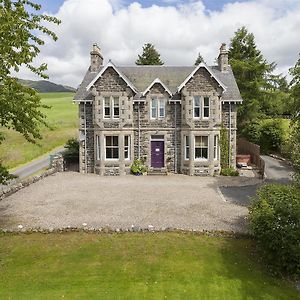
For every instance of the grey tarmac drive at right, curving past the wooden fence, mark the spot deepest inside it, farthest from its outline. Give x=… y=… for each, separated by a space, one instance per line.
x=276 y=171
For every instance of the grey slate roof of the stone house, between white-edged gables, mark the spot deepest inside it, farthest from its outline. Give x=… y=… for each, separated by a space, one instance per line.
x=172 y=76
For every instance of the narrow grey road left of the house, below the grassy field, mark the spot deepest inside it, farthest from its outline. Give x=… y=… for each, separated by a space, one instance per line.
x=35 y=165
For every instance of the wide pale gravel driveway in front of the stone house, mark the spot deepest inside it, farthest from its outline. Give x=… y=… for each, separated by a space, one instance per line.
x=71 y=199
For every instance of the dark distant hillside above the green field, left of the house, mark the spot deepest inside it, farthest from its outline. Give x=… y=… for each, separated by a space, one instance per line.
x=45 y=86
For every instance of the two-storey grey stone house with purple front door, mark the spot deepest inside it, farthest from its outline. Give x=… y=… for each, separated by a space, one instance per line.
x=168 y=116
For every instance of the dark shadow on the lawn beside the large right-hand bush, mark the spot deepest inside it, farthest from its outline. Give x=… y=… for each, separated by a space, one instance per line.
x=243 y=267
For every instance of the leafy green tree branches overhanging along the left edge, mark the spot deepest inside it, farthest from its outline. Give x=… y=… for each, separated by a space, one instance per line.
x=21 y=28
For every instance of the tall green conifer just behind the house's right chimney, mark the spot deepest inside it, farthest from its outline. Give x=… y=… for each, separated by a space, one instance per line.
x=251 y=71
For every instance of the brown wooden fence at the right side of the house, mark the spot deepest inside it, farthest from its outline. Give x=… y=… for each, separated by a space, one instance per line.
x=245 y=147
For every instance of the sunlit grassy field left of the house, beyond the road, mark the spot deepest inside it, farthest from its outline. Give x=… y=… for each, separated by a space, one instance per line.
x=62 y=116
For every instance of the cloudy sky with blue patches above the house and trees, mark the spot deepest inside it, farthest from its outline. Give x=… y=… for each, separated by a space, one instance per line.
x=179 y=29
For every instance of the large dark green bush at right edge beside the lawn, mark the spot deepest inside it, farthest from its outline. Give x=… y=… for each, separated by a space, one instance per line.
x=275 y=224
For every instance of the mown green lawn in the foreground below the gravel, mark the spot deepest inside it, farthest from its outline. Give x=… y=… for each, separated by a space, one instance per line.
x=134 y=266
